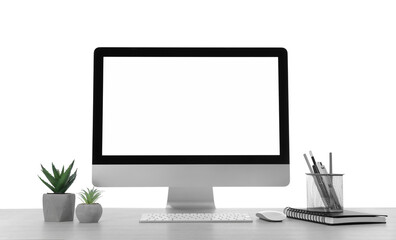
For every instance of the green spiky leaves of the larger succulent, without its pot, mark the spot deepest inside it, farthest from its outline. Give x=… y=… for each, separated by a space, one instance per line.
x=59 y=182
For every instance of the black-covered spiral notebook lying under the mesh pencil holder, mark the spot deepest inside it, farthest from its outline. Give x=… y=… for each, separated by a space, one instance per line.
x=346 y=217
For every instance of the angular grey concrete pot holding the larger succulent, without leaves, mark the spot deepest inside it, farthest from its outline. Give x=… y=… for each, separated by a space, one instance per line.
x=58 y=207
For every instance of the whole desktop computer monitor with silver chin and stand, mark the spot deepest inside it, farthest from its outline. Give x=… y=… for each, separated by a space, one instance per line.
x=190 y=119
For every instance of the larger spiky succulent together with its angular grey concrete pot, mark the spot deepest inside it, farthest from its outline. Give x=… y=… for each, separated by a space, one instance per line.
x=59 y=206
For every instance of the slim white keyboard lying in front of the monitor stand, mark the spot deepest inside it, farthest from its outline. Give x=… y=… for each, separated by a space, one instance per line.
x=195 y=218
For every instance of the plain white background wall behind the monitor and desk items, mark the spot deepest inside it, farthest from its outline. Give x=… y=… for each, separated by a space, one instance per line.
x=341 y=78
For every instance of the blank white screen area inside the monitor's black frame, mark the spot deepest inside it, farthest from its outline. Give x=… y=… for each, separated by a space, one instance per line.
x=190 y=106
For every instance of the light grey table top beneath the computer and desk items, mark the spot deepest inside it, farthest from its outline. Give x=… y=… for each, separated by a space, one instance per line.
x=124 y=223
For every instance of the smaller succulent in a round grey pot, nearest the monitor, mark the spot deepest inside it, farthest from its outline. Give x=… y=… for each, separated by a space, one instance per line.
x=89 y=211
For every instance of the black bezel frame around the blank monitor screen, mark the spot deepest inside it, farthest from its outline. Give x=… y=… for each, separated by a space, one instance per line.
x=102 y=52
